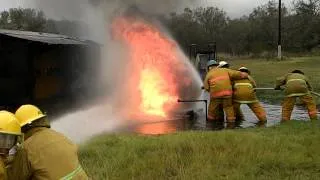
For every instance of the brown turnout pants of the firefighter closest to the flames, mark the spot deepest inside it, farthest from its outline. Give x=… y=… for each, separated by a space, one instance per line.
x=216 y=113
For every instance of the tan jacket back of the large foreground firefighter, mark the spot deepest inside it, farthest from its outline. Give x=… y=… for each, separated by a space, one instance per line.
x=52 y=156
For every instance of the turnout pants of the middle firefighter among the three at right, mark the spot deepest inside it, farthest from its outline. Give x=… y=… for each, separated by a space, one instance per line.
x=256 y=108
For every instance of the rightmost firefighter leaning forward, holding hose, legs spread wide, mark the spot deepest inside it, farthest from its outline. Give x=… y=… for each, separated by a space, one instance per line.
x=296 y=86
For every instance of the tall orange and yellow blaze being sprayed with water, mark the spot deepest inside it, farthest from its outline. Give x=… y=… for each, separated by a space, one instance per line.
x=156 y=72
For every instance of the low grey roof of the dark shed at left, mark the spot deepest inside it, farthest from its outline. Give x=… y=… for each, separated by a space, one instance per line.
x=43 y=37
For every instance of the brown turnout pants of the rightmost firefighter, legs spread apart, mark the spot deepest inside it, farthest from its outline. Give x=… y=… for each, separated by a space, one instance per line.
x=289 y=102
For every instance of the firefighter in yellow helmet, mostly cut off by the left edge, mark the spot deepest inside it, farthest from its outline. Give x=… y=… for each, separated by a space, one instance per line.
x=10 y=133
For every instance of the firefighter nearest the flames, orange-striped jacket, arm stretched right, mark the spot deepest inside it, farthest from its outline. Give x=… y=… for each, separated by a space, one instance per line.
x=218 y=83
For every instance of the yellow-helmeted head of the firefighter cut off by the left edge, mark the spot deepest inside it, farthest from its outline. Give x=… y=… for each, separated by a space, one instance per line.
x=10 y=130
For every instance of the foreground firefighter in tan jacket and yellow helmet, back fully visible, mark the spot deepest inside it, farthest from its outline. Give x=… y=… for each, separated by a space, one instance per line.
x=46 y=154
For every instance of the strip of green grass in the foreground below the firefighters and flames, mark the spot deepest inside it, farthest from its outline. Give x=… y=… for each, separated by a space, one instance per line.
x=289 y=151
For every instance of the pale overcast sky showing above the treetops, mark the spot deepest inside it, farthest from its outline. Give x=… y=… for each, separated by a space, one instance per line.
x=234 y=8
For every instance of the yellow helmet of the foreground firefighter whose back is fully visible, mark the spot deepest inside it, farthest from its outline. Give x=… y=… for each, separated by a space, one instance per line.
x=26 y=114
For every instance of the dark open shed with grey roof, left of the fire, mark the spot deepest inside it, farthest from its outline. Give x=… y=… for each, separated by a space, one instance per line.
x=41 y=68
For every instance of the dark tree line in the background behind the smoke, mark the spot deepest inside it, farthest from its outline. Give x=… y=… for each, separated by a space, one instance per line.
x=256 y=33
